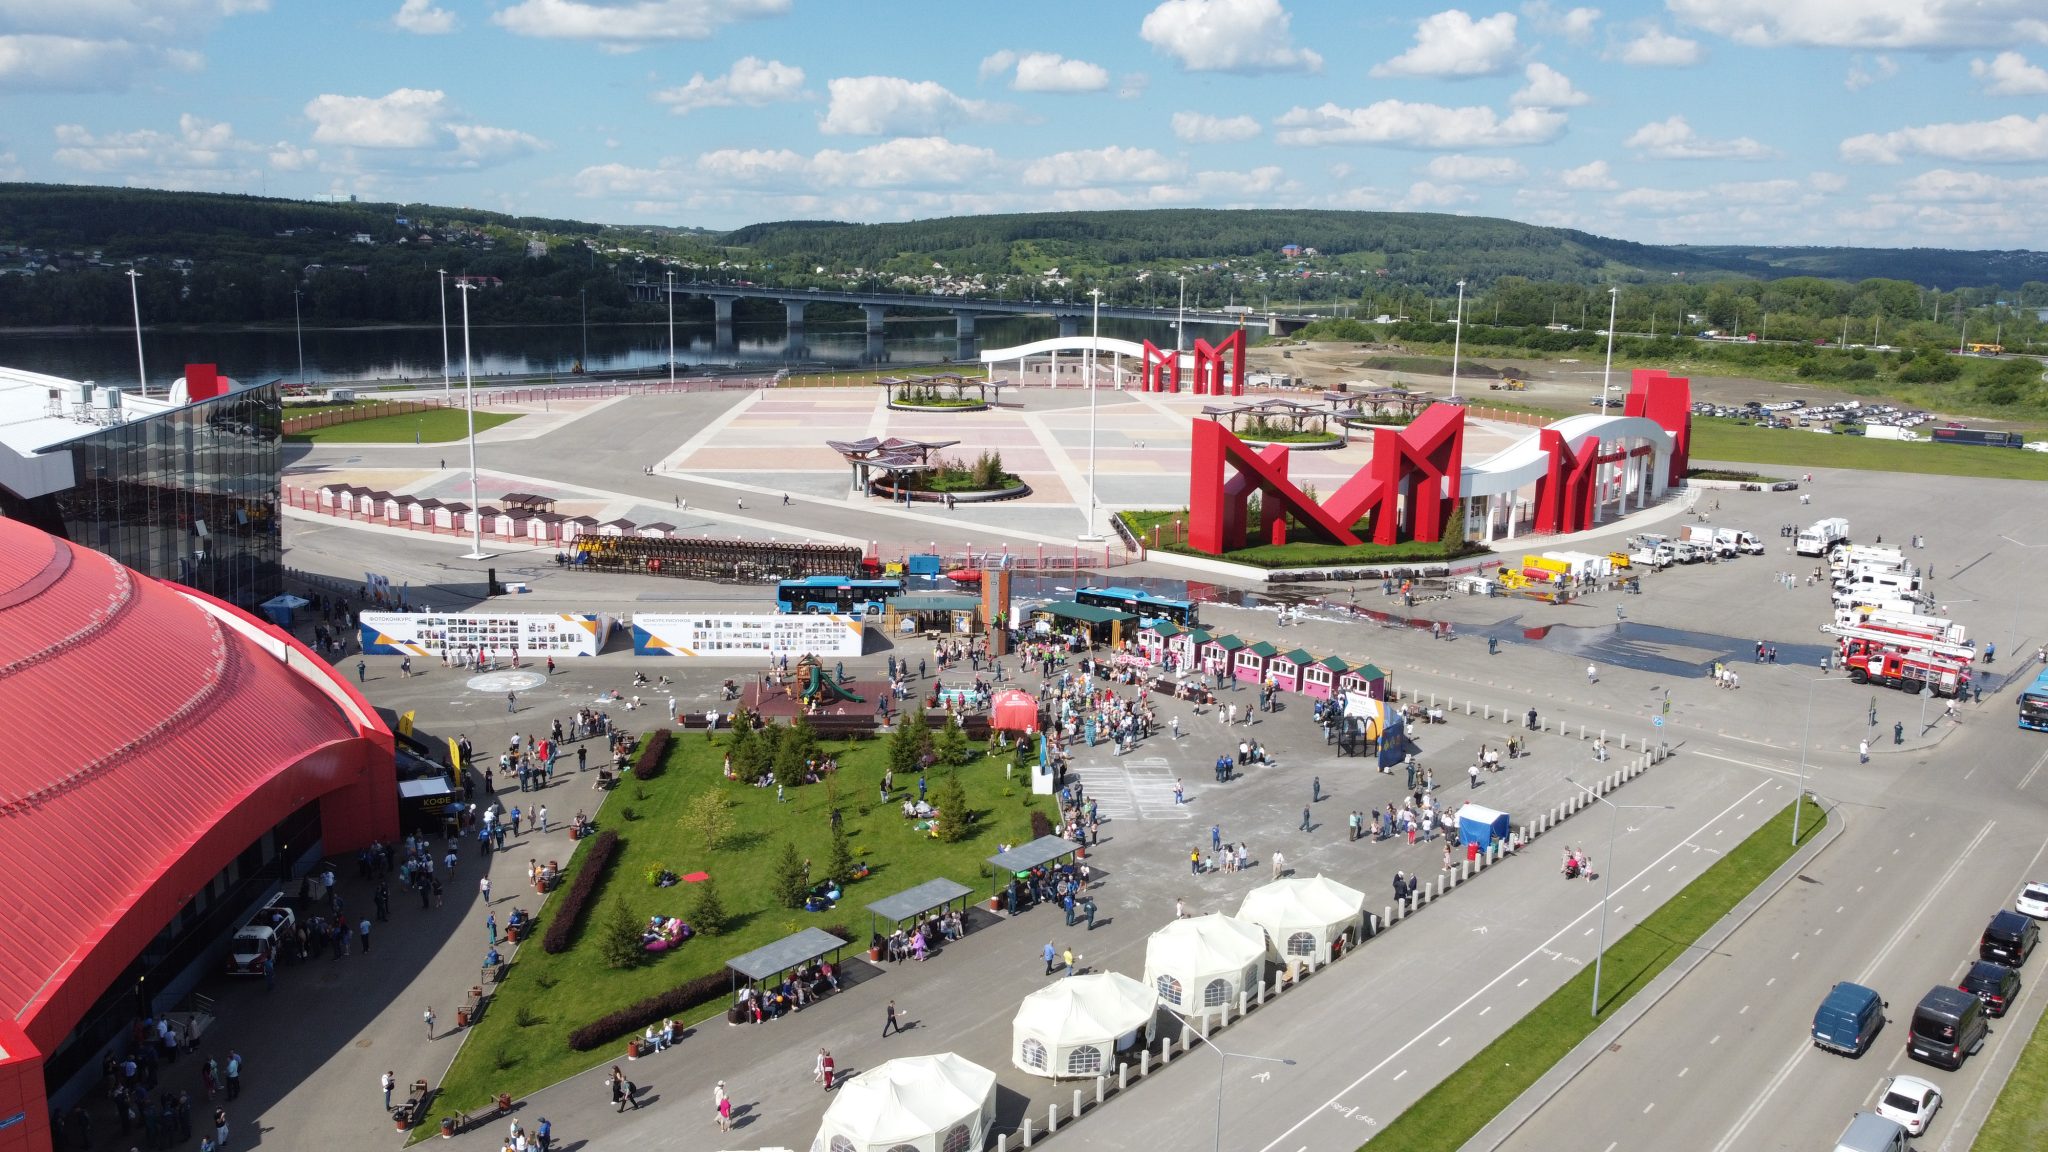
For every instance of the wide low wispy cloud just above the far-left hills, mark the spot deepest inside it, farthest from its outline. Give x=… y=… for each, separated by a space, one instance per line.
x=202 y=155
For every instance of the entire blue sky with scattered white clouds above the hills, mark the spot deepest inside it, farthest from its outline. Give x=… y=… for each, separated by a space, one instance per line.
x=1770 y=122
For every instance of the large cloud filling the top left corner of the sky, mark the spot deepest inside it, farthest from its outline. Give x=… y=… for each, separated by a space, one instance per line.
x=103 y=46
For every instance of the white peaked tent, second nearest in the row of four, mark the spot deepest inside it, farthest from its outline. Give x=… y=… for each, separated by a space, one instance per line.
x=1072 y=1028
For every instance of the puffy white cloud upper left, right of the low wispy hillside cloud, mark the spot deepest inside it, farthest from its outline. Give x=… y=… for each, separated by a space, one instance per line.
x=411 y=128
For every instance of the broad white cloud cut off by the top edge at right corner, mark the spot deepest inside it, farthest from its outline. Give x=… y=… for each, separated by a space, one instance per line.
x=1869 y=24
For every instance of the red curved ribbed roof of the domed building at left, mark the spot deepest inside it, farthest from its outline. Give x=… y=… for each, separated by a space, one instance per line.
x=148 y=743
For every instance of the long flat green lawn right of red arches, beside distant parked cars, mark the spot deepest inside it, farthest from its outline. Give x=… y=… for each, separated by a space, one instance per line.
x=1799 y=450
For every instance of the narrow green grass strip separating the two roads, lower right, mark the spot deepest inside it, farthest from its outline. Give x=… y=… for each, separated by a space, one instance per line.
x=1488 y=1083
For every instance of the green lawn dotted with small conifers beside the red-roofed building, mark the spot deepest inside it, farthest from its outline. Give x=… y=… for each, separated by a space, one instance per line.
x=521 y=1042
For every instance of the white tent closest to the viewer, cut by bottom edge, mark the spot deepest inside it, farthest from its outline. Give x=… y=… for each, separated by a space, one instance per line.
x=925 y=1104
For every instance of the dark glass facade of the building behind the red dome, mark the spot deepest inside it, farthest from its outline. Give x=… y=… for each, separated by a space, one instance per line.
x=189 y=495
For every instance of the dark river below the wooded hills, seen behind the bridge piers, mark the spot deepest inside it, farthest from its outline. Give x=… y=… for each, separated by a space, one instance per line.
x=347 y=356
